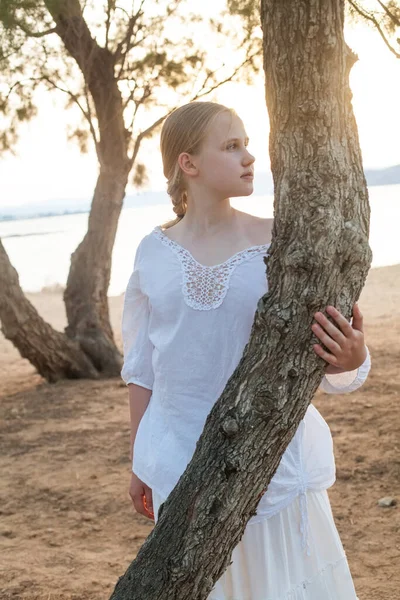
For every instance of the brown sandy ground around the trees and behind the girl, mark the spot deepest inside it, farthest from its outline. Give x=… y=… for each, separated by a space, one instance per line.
x=67 y=526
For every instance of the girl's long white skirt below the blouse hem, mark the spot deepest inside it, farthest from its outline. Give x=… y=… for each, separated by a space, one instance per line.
x=270 y=563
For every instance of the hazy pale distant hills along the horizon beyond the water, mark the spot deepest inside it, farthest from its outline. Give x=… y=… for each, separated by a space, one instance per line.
x=263 y=186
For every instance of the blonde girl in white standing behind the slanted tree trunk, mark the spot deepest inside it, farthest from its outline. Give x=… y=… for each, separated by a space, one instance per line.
x=188 y=311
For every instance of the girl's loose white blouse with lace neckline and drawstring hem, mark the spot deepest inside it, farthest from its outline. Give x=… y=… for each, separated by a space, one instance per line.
x=184 y=327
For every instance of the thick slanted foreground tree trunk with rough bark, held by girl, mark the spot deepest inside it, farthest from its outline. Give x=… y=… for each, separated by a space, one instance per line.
x=319 y=255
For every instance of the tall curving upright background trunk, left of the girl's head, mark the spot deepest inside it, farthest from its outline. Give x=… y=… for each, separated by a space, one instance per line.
x=87 y=286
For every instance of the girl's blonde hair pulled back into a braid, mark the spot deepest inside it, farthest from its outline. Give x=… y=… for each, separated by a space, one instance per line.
x=184 y=131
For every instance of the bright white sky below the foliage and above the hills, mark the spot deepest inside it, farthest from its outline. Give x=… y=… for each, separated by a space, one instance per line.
x=47 y=166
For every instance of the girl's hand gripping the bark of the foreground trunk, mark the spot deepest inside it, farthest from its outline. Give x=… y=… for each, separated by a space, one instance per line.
x=344 y=342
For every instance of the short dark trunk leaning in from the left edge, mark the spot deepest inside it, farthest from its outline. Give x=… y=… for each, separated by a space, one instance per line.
x=51 y=352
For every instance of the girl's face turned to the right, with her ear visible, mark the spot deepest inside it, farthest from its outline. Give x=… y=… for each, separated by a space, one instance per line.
x=224 y=159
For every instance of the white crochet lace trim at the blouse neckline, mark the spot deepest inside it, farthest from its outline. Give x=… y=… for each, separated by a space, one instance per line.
x=205 y=287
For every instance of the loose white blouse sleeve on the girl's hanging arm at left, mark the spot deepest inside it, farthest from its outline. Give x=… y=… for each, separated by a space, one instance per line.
x=138 y=349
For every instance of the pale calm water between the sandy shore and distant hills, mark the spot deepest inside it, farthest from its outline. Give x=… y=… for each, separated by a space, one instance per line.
x=40 y=249
